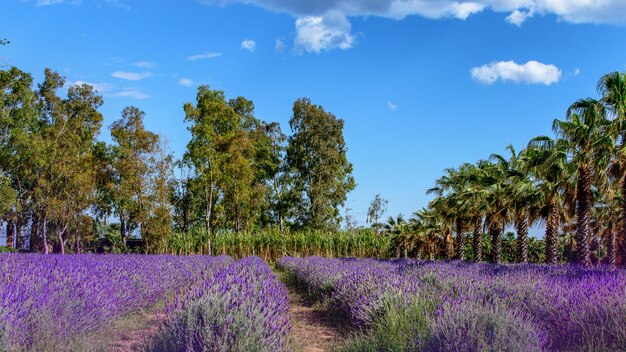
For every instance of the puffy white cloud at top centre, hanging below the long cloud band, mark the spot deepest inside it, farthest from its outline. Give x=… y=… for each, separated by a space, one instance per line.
x=331 y=31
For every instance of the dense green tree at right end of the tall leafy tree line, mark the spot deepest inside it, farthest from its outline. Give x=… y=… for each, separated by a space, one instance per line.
x=317 y=156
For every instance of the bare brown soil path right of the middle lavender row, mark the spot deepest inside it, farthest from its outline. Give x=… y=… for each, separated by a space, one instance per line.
x=315 y=327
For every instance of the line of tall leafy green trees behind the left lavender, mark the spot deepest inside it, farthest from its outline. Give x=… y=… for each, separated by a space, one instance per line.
x=62 y=189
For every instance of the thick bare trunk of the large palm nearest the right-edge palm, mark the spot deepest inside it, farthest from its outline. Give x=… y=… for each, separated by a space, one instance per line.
x=583 y=234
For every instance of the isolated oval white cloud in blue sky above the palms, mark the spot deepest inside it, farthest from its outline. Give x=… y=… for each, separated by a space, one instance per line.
x=532 y=72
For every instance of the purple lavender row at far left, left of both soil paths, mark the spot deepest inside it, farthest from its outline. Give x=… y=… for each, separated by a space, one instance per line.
x=47 y=301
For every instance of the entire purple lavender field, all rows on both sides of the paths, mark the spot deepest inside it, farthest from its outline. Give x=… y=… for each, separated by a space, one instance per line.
x=48 y=303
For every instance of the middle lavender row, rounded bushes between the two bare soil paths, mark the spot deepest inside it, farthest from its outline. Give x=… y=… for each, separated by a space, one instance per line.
x=242 y=307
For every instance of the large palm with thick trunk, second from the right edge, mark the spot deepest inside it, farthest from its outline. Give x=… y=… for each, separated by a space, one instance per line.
x=587 y=142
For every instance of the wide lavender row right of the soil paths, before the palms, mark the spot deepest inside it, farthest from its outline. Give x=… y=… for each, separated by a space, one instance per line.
x=475 y=307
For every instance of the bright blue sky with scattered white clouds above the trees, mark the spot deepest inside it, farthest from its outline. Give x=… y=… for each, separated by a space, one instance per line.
x=422 y=85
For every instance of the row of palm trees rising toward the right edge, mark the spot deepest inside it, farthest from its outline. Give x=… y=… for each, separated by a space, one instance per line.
x=574 y=183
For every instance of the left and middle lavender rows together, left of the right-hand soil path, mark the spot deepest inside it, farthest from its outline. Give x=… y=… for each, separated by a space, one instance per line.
x=47 y=303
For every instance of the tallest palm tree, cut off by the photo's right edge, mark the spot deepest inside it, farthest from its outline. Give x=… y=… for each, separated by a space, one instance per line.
x=612 y=87
